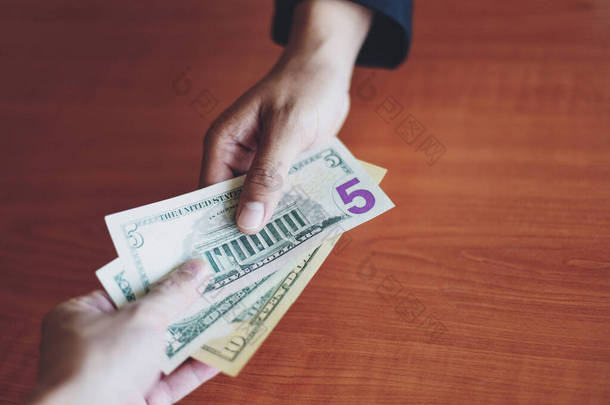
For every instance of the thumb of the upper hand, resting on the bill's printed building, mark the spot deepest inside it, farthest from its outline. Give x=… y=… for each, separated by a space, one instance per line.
x=263 y=185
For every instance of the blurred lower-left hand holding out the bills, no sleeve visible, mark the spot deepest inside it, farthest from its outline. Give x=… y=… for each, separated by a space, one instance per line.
x=93 y=354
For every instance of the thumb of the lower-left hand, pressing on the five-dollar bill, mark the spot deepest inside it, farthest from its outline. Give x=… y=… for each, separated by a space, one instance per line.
x=176 y=292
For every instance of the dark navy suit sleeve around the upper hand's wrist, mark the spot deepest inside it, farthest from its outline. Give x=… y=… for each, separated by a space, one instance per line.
x=387 y=42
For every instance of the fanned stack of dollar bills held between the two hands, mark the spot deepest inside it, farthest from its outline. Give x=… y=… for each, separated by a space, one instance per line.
x=255 y=277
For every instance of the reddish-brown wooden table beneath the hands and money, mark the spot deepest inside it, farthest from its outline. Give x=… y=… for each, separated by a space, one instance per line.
x=490 y=281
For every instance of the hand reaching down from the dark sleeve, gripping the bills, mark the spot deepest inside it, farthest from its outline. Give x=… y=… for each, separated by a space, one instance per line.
x=300 y=103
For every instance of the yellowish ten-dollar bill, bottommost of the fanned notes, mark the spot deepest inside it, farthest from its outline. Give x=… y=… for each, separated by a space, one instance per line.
x=254 y=323
